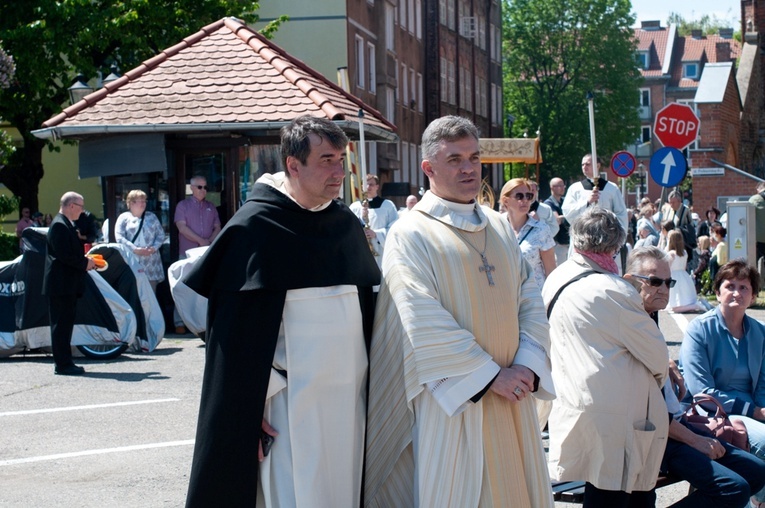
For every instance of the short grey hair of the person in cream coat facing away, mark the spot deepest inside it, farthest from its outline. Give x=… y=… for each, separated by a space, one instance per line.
x=598 y=231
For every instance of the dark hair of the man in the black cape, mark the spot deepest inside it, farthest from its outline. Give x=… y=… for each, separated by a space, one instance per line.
x=295 y=140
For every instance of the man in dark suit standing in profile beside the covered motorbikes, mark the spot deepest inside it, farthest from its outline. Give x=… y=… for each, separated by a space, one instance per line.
x=64 y=280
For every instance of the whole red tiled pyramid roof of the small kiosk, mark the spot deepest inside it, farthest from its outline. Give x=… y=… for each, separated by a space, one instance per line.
x=225 y=73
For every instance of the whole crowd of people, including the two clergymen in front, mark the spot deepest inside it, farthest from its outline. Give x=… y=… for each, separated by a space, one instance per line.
x=411 y=357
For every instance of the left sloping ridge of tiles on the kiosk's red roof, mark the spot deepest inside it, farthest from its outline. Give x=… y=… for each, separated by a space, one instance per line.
x=133 y=74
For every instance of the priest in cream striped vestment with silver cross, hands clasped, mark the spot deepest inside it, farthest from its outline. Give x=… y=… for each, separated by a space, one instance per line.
x=460 y=343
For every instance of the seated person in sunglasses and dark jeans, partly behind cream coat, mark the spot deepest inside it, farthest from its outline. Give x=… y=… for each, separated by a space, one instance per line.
x=720 y=474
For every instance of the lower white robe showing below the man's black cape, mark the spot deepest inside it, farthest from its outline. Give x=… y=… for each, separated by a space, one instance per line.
x=319 y=409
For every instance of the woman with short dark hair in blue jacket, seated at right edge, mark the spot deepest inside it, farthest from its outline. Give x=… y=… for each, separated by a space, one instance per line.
x=723 y=352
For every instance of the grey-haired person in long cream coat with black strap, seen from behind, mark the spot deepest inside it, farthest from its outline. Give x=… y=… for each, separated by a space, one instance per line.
x=608 y=425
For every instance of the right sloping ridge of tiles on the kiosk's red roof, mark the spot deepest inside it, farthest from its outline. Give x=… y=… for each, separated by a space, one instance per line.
x=272 y=53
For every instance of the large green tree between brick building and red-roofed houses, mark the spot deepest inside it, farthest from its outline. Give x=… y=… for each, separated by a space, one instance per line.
x=554 y=52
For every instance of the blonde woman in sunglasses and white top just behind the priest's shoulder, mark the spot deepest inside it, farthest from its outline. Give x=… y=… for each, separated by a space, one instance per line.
x=534 y=236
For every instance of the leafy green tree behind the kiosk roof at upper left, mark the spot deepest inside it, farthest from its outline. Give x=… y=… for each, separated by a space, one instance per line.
x=52 y=40
